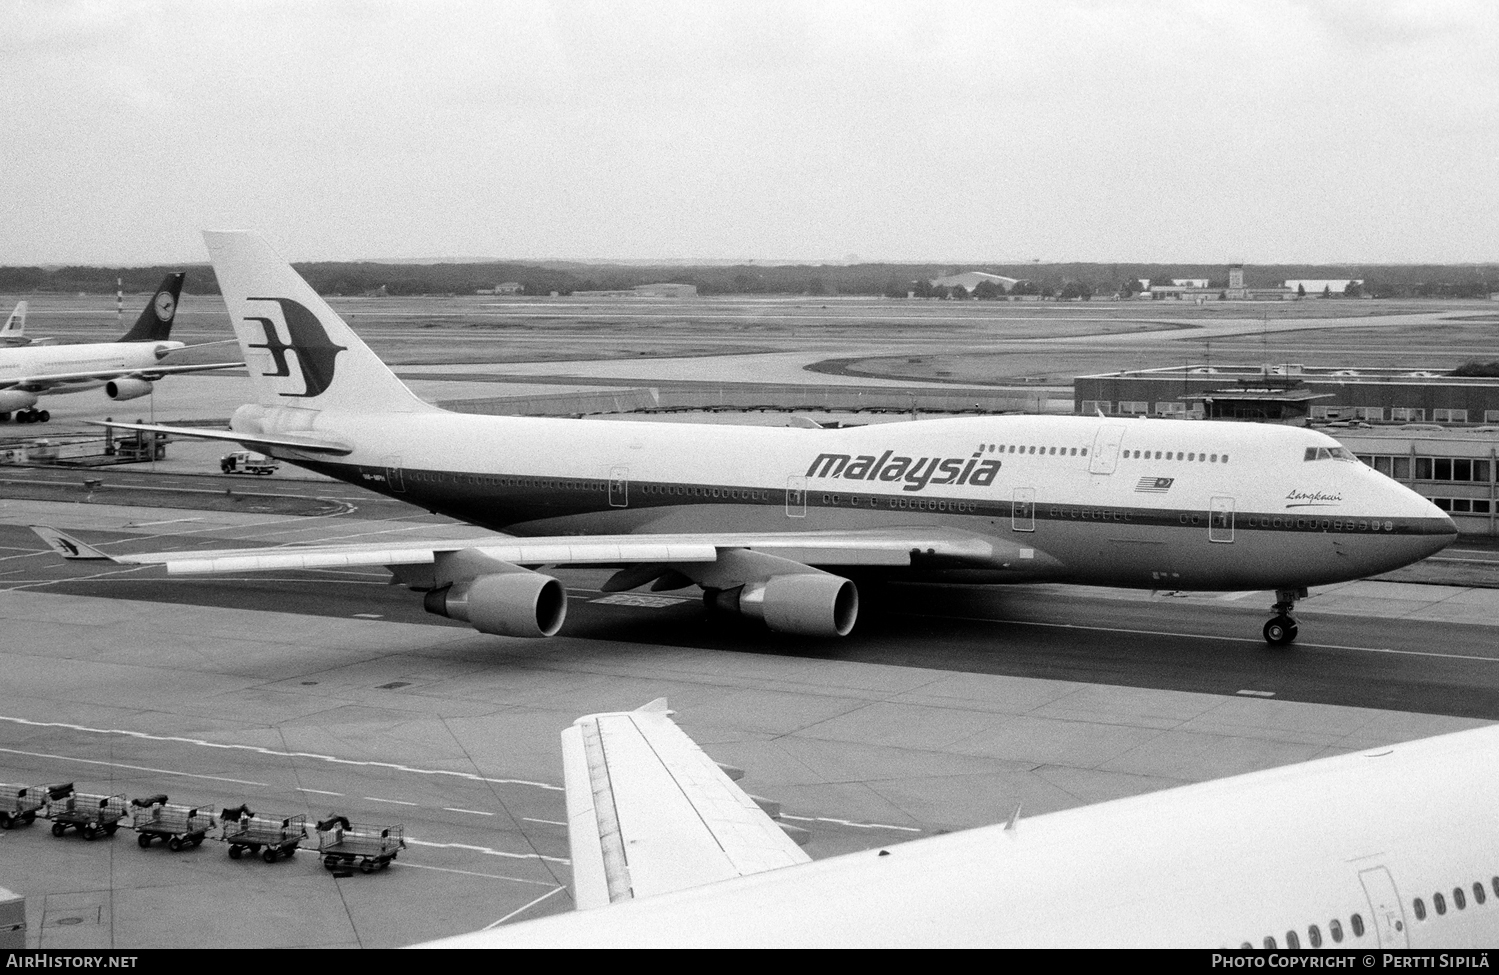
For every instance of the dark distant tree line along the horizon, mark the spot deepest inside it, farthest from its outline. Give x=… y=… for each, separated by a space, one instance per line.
x=1061 y=281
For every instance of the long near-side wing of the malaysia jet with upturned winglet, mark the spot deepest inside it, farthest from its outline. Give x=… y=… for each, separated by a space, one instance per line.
x=825 y=548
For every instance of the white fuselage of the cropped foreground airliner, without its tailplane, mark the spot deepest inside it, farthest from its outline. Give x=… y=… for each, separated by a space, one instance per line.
x=1330 y=854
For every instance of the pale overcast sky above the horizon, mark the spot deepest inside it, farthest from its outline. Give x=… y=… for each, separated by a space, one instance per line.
x=1264 y=131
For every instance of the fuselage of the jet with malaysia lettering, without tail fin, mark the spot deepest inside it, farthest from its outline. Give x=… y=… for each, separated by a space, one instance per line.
x=1135 y=503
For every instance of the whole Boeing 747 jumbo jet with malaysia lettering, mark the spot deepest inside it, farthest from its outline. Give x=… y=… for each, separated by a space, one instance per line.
x=785 y=524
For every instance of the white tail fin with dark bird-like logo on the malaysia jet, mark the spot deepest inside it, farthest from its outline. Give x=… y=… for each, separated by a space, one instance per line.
x=298 y=349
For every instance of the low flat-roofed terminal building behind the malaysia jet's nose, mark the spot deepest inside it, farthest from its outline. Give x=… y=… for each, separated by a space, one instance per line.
x=1434 y=433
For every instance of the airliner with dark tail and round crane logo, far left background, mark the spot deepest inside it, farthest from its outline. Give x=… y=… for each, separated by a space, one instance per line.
x=125 y=370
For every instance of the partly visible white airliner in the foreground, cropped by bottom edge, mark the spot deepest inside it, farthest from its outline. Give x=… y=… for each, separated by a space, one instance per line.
x=1392 y=848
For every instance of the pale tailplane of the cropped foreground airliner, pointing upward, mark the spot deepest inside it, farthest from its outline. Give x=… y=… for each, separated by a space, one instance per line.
x=650 y=812
